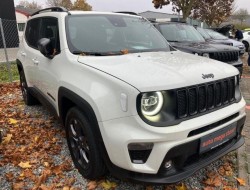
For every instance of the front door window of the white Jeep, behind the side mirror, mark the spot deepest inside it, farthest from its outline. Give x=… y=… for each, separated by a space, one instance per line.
x=49 y=29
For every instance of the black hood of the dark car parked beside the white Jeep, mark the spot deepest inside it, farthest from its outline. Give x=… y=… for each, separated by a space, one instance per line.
x=202 y=47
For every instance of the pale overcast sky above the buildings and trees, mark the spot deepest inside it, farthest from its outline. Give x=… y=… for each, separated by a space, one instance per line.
x=136 y=5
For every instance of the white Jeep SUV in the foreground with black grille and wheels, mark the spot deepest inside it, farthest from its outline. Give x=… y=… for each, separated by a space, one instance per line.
x=130 y=103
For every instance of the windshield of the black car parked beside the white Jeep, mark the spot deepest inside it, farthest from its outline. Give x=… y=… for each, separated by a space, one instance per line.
x=176 y=32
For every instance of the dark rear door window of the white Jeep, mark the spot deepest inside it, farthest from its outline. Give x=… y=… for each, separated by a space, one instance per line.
x=32 y=32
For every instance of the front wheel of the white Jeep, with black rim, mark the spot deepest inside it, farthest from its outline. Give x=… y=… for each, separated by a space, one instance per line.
x=83 y=145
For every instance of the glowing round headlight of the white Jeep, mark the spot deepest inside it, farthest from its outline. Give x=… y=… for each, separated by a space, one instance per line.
x=151 y=103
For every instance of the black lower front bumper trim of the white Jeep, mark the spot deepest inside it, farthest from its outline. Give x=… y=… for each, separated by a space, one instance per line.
x=178 y=174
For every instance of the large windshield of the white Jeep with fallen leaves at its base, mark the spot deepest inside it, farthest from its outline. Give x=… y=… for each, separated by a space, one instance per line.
x=112 y=35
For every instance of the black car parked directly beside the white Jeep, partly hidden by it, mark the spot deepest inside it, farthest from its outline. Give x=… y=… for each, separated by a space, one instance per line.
x=186 y=38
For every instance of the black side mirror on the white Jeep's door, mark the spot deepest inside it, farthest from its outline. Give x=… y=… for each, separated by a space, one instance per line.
x=45 y=47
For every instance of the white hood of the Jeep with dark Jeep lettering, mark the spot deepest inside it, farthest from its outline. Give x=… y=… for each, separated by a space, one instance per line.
x=153 y=71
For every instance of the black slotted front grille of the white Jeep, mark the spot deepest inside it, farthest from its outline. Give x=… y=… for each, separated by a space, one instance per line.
x=205 y=97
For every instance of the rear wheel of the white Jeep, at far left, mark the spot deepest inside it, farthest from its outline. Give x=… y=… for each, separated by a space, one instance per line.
x=28 y=98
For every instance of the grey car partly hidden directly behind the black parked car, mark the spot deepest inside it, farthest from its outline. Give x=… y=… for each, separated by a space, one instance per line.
x=218 y=38
